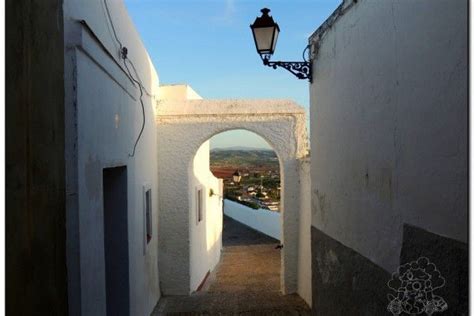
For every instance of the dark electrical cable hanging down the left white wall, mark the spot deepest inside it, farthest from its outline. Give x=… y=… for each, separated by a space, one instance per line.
x=137 y=81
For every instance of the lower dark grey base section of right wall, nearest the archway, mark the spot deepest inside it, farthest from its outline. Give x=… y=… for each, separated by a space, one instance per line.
x=345 y=282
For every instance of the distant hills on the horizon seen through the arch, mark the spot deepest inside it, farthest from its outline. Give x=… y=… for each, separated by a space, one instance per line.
x=244 y=157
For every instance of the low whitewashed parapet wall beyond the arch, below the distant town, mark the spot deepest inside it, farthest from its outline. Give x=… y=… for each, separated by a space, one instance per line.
x=265 y=221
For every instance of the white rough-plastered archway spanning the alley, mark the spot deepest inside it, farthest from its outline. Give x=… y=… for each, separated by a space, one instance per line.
x=182 y=127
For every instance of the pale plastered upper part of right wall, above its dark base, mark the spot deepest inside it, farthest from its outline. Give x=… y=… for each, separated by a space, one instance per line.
x=389 y=125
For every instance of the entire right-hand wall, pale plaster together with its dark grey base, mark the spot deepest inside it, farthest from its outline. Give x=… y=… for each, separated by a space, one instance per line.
x=389 y=153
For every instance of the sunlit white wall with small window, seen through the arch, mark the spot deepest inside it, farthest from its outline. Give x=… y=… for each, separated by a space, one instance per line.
x=206 y=235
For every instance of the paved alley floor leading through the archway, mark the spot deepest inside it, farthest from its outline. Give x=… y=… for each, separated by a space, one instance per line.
x=245 y=282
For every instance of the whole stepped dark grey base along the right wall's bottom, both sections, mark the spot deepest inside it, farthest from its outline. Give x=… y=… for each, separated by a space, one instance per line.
x=346 y=283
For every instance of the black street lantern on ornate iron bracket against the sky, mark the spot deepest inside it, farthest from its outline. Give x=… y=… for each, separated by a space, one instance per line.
x=265 y=34
